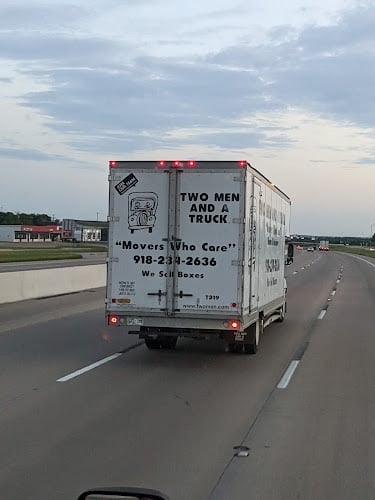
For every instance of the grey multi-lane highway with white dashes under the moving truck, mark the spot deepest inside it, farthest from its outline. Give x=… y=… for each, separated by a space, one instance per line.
x=302 y=409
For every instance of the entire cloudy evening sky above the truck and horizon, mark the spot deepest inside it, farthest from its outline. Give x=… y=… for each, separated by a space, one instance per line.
x=290 y=86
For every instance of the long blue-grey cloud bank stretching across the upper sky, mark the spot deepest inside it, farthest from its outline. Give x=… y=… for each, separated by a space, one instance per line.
x=102 y=92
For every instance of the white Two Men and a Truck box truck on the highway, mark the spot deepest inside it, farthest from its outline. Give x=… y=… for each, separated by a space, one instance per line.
x=196 y=249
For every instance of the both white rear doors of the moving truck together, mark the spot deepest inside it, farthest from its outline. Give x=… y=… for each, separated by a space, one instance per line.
x=176 y=239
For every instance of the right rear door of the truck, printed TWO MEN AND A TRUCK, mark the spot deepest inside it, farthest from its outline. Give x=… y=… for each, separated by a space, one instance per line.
x=209 y=229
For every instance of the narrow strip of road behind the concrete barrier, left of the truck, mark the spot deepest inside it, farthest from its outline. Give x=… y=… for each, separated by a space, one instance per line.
x=87 y=260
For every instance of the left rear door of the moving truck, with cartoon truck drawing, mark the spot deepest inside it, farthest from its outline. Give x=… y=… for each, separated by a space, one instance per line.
x=138 y=239
